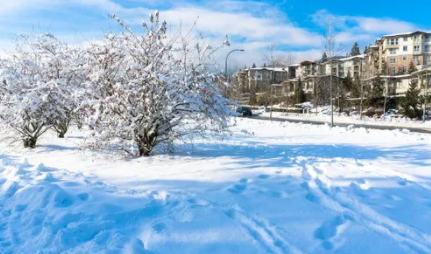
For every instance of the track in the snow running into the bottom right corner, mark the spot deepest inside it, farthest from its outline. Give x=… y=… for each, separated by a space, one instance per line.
x=319 y=188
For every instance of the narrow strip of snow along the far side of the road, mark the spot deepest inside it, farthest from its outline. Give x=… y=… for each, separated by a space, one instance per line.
x=394 y=122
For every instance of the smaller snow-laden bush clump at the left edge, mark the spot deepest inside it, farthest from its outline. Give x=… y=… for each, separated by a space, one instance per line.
x=38 y=82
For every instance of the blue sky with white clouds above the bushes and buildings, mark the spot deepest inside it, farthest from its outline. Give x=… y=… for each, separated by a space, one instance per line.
x=294 y=26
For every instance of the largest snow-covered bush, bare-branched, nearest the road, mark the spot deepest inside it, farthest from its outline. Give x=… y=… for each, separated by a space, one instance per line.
x=148 y=89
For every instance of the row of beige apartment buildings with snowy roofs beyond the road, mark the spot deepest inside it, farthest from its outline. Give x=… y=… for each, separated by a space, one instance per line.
x=391 y=58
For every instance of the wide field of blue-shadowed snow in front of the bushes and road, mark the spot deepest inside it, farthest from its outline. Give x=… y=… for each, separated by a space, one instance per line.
x=268 y=188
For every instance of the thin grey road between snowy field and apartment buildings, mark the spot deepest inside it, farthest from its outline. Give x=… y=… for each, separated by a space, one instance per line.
x=369 y=126
